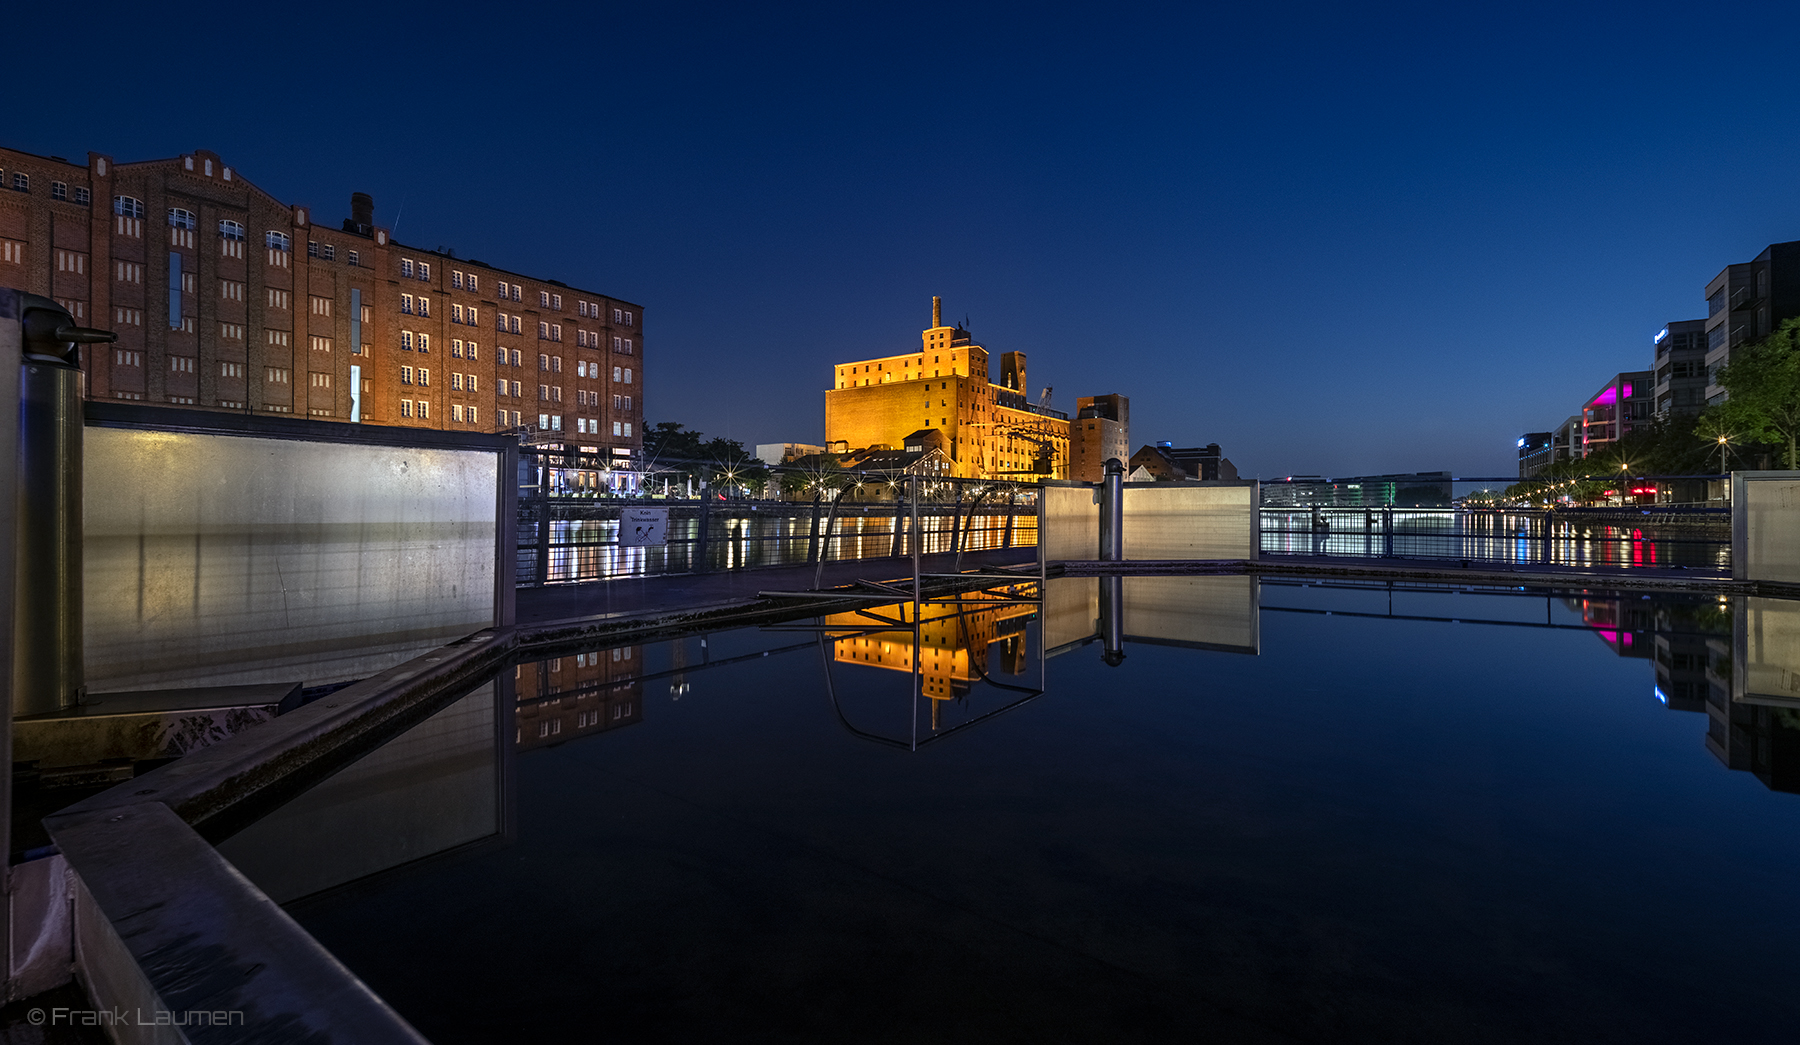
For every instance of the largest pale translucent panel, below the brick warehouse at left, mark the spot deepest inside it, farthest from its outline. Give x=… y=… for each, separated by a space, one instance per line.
x=222 y=560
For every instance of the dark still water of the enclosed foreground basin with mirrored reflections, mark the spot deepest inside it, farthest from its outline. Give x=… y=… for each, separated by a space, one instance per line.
x=1266 y=825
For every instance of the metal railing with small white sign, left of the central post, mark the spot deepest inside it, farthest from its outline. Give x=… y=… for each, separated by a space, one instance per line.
x=843 y=517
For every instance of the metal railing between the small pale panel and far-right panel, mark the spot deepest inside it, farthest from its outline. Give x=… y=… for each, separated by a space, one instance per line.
x=1693 y=540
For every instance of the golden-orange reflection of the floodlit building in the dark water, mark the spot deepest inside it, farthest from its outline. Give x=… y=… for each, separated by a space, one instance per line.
x=953 y=639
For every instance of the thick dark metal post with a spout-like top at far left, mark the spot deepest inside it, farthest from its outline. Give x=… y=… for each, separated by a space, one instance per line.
x=48 y=674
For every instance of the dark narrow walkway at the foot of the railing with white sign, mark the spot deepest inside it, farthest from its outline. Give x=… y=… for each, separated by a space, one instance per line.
x=726 y=587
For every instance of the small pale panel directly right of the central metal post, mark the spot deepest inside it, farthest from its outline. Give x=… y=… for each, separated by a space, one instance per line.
x=1191 y=521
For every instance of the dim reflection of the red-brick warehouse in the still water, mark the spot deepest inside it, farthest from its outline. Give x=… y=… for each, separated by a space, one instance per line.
x=580 y=695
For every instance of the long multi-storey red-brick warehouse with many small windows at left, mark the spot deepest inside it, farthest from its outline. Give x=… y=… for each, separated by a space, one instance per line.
x=229 y=299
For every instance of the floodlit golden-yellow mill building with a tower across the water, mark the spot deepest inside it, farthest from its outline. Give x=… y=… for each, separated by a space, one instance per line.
x=993 y=431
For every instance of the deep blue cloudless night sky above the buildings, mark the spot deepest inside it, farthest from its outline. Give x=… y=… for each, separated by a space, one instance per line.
x=1331 y=242
